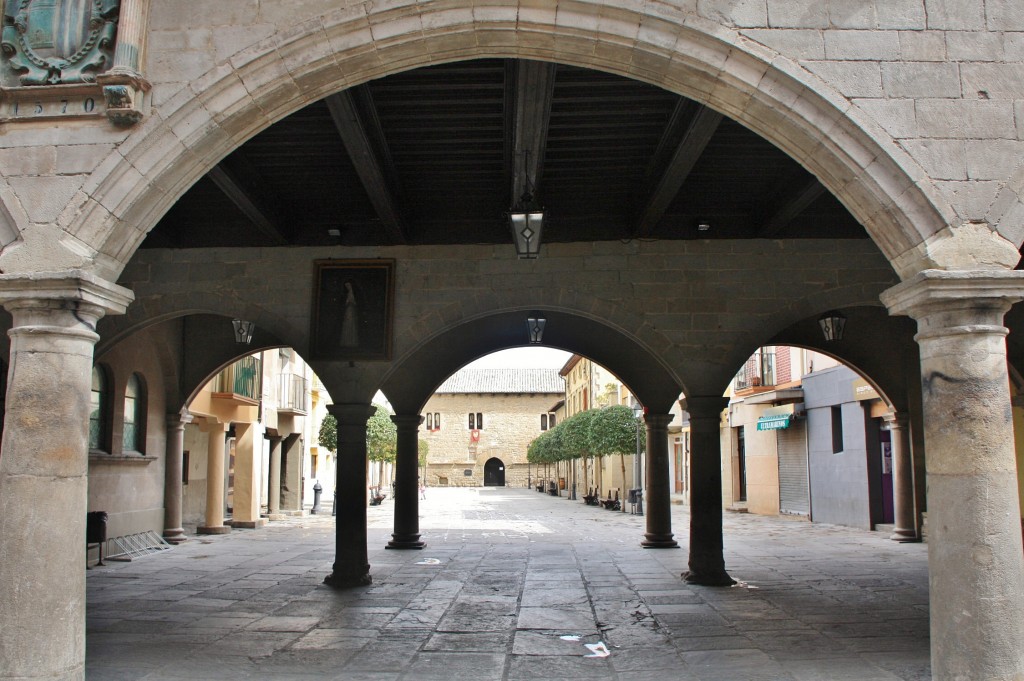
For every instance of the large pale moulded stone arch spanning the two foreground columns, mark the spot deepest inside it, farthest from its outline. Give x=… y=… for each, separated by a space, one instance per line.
x=882 y=187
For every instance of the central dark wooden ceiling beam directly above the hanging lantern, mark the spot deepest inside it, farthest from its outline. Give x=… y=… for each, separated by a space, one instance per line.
x=535 y=84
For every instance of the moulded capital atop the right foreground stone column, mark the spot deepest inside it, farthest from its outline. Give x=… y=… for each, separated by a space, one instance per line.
x=940 y=290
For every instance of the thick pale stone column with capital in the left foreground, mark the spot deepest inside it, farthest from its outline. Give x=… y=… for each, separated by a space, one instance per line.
x=45 y=458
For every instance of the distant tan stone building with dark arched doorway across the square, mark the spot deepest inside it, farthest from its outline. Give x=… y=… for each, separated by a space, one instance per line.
x=481 y=421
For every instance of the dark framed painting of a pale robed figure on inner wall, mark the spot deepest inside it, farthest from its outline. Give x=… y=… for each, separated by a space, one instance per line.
x=353 y=310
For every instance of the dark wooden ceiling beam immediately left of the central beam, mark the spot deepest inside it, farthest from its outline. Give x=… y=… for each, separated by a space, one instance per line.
x=356 y=119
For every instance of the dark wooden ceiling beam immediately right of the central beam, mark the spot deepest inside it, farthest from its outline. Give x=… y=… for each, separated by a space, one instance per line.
x=701 y=127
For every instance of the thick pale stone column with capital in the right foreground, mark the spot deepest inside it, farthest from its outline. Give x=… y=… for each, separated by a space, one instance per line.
x=975 y=554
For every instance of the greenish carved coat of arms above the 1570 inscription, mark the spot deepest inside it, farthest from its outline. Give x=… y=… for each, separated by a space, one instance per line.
x=59 y=41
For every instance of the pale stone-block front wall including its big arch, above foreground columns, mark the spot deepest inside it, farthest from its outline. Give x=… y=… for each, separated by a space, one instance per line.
x=911 y=111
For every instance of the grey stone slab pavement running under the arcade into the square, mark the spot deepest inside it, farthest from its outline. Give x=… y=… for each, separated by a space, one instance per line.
x=516 y=585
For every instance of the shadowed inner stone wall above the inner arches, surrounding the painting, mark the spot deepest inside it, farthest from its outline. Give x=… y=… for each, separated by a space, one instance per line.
x=702 y=306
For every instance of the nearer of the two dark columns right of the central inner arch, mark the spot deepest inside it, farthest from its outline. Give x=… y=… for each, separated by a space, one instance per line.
x=707 y=562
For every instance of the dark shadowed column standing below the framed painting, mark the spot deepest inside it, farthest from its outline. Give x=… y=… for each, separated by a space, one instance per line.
x=352 y=568
